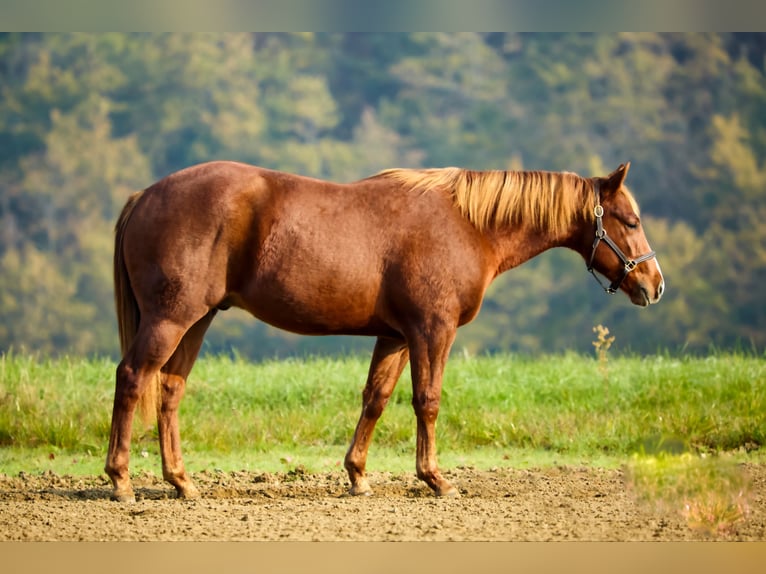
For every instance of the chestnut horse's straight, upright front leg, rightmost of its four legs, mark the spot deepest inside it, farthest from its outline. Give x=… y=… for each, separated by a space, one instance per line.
x=428 y=360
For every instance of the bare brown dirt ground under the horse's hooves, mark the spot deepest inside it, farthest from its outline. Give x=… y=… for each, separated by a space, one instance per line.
x=563 y=503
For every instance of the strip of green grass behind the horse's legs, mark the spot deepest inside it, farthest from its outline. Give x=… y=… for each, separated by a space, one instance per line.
x=502 y=410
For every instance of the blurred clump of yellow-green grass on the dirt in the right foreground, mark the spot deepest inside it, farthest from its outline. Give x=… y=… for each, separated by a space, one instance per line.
x=710 y=493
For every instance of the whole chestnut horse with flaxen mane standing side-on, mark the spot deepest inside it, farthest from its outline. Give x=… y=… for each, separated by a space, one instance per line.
x=405 y=256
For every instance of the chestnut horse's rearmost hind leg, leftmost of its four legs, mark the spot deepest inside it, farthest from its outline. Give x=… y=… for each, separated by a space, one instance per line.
x=154 y=344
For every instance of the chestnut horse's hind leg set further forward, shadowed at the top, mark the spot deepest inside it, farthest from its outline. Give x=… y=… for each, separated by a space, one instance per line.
x=174 y=375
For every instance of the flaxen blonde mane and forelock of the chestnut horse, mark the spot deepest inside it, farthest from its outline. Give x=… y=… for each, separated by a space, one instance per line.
x=550 y=201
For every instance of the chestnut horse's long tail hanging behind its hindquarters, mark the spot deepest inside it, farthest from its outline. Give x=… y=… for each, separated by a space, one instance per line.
x=128 y=313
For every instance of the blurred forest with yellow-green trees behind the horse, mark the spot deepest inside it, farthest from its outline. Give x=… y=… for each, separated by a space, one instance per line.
x=86 y=119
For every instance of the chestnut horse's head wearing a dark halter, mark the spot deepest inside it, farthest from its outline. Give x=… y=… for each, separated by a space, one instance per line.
x=616 y=245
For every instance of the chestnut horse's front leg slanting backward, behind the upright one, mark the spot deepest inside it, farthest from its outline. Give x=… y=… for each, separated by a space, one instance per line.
x=388 y=361
